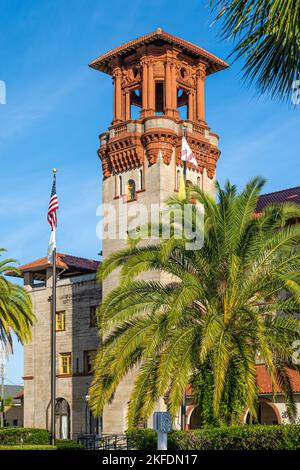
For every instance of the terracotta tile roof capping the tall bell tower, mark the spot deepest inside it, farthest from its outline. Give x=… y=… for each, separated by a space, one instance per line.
x=214 y=63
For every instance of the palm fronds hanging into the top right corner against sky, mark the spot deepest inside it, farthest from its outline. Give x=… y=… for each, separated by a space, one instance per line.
x=268 y=39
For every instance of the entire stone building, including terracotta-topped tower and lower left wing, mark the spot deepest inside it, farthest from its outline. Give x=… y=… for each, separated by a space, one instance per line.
x=159 y=83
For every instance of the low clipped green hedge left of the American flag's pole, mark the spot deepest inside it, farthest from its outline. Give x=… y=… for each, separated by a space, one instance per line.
x=17 y=436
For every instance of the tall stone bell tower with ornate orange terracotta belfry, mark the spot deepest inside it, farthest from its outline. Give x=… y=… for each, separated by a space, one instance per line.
x=159 y=82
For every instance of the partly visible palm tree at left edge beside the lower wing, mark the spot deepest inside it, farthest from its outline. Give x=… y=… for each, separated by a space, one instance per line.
x=16 y=313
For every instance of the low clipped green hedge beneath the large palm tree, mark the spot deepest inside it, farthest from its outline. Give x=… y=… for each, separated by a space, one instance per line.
x=246 y=437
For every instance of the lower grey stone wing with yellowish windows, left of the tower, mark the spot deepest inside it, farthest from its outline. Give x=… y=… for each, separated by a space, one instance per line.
x=78 y=296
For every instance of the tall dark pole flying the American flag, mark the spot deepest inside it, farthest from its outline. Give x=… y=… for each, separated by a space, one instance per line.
x=53 y=341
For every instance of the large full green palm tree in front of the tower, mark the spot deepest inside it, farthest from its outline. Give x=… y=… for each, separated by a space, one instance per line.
x=217 y=308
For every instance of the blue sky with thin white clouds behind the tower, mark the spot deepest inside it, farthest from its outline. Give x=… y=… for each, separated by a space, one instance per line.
x=57 y=106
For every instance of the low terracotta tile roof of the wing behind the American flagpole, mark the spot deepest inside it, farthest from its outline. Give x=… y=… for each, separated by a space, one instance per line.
x=63 y=261
